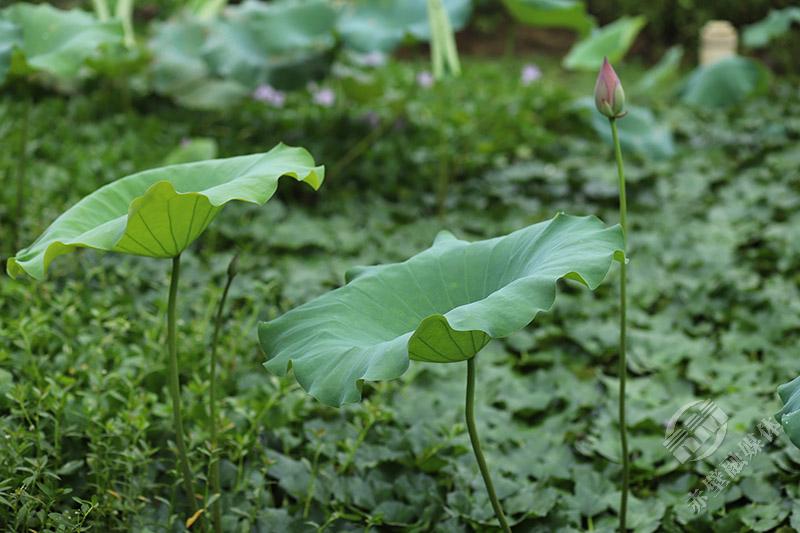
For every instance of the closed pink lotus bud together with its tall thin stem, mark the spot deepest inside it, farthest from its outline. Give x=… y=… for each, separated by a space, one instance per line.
x=609 y=97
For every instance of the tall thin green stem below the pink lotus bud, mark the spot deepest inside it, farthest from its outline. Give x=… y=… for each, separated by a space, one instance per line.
x=623 y=365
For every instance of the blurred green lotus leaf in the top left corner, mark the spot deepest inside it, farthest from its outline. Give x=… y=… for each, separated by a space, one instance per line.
x=59 y=42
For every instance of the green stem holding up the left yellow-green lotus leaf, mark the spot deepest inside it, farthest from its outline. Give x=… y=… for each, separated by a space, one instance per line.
x=175 y=386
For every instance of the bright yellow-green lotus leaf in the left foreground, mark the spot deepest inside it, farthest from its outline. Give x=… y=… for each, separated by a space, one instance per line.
x=160 y=212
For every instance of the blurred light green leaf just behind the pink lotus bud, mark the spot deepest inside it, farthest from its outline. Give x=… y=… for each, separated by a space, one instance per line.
x=611 y=41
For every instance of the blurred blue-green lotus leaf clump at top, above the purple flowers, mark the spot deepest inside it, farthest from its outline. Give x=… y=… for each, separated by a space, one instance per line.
x=215 y=63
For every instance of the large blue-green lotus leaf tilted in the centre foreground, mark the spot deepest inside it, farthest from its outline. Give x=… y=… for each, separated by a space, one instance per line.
x=442 y=305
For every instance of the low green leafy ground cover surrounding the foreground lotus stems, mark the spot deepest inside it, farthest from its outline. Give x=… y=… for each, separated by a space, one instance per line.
x=84 y=411
